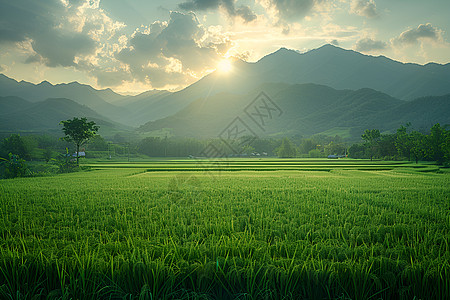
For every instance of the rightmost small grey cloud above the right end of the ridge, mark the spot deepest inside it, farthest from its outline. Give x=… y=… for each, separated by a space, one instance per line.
x=413 y=36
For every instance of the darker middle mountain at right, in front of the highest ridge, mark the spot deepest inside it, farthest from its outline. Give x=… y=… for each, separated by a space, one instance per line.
x=307 y=109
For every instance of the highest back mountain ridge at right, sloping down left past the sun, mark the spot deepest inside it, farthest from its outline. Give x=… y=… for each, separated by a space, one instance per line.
x=327 y=65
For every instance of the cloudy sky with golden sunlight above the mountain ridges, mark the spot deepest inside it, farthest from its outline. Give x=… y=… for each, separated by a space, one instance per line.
x=132 y=46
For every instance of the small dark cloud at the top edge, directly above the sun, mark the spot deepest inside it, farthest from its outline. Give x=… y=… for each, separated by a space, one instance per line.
x=243 y=11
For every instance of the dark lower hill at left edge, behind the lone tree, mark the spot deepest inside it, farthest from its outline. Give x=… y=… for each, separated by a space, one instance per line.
x=17 y=114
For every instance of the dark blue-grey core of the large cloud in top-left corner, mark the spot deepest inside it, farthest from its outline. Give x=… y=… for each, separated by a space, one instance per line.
x=40 y=23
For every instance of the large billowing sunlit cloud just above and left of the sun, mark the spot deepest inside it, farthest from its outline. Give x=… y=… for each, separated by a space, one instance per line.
x=172 y=53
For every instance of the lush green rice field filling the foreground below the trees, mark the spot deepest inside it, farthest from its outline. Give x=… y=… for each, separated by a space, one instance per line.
x=234 y=229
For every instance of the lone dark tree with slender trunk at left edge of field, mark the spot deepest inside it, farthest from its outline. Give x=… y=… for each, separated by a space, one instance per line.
x=78 y=131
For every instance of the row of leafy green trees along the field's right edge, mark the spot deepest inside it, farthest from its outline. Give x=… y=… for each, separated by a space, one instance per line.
x=405 y=144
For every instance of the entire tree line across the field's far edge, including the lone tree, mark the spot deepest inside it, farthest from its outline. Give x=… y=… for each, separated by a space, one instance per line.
x=405 y=144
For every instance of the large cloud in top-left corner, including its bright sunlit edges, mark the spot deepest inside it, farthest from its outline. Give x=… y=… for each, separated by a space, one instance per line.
x=59 y=33
